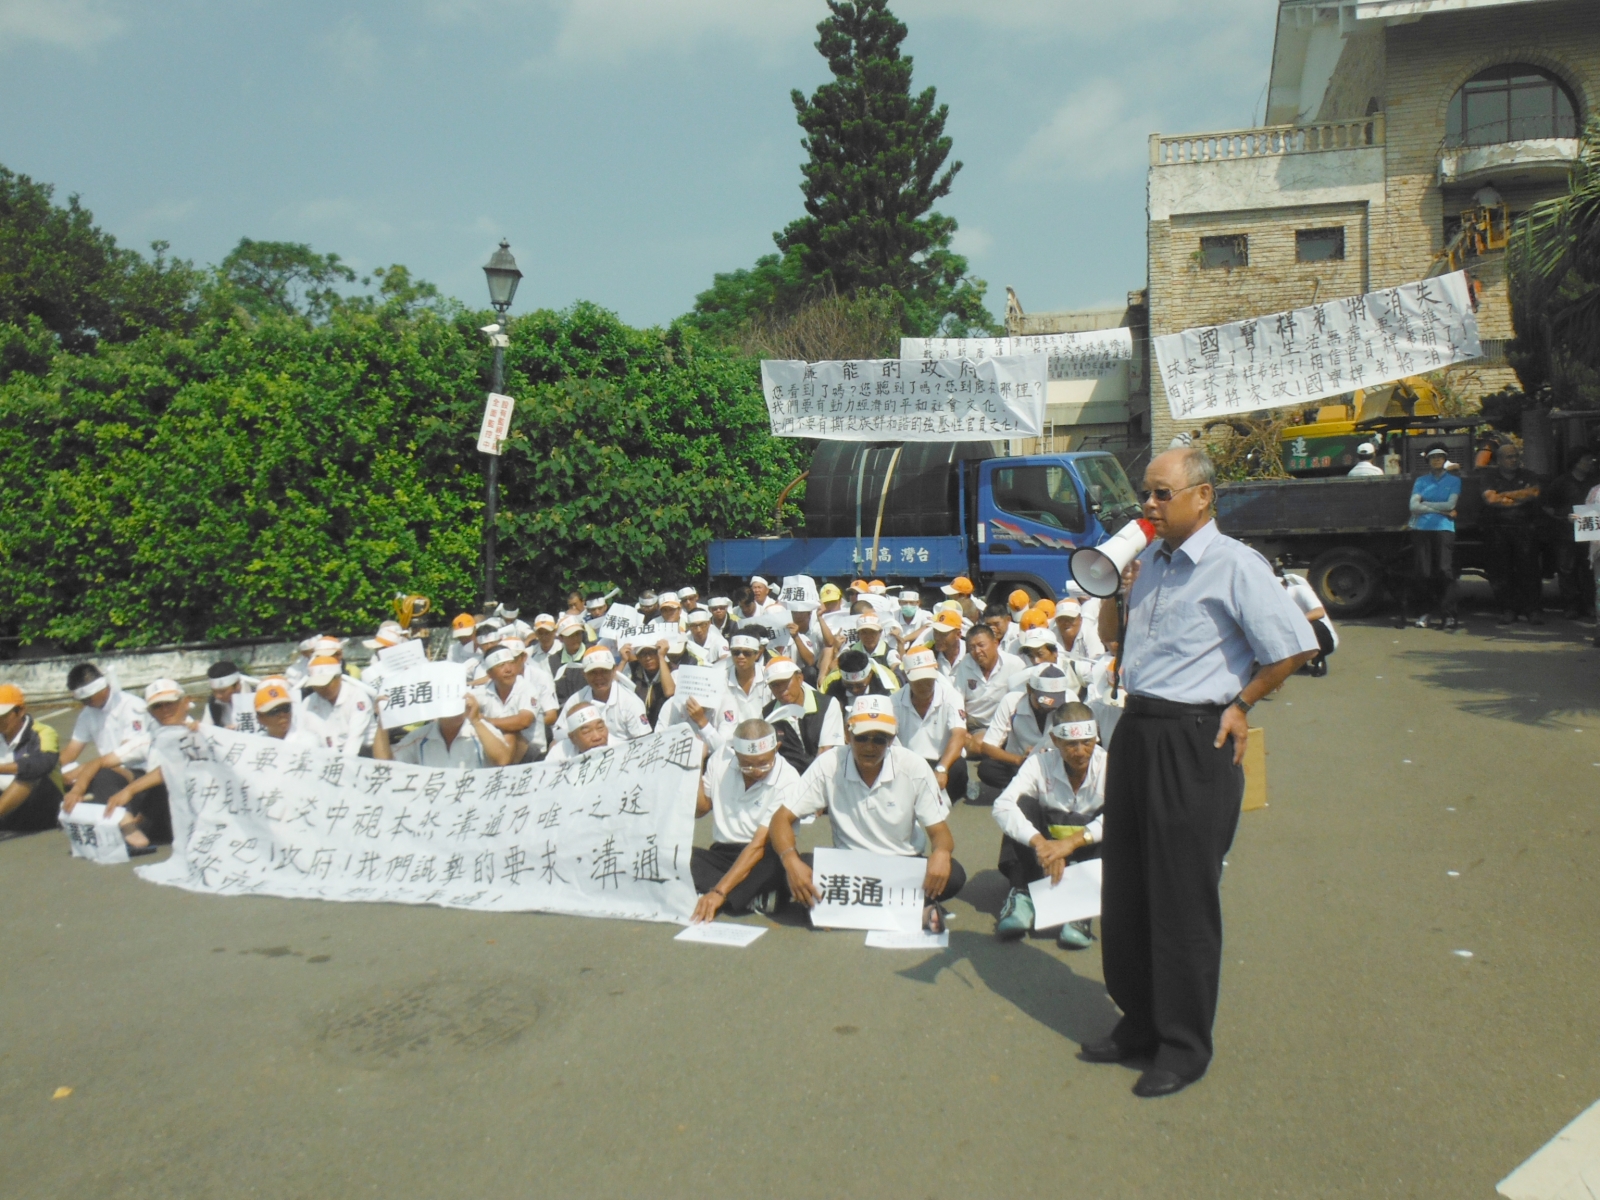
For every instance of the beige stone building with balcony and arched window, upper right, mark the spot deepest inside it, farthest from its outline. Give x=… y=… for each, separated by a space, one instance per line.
x=1386 y=121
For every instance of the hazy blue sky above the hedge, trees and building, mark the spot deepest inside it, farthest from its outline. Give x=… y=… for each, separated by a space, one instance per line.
x=628 y=148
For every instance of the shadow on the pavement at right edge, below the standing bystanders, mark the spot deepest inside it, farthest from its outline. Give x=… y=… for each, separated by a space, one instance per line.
x=1529 y=689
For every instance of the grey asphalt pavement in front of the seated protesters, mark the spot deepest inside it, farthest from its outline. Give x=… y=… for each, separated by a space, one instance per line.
x=290 y=1049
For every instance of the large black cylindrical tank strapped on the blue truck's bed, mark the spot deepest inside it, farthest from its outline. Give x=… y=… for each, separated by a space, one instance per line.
x=924 y=494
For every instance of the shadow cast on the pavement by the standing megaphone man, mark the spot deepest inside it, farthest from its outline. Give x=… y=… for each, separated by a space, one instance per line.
x=1033 y=980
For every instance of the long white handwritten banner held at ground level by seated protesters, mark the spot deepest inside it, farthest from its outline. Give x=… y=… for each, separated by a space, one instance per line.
x=607 y=834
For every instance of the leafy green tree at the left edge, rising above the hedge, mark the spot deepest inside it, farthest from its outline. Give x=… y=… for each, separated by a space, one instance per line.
x=62 y=274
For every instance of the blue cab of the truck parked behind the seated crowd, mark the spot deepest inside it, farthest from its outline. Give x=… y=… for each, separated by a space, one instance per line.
x=1036 y=511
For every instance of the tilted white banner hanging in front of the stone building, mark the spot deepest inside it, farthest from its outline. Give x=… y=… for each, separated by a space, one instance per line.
x=1318 y=353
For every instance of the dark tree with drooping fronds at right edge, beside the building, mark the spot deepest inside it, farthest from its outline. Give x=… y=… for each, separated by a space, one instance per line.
x=1554 y=262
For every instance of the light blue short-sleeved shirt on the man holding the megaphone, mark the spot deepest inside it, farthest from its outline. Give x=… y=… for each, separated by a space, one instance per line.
x=1202 y=615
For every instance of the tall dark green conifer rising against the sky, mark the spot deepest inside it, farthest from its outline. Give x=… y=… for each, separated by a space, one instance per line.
x=878 y=166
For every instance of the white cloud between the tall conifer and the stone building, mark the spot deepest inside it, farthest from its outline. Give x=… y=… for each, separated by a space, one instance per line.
x=1094 y=135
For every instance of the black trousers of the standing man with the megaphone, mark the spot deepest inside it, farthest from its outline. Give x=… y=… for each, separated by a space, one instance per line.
x=1172 y=807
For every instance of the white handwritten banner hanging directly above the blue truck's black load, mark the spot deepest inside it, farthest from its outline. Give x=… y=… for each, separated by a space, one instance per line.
x=902 y=401
